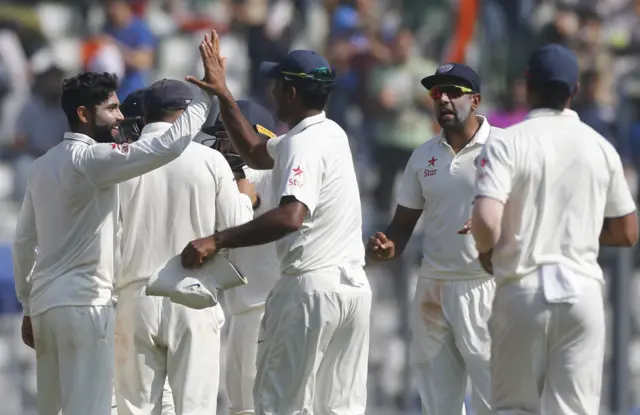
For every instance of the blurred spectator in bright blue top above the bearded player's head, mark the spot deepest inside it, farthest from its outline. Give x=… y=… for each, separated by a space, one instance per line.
x=134 y=39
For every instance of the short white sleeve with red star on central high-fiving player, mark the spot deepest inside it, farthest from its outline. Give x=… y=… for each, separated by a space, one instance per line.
x=302 y=171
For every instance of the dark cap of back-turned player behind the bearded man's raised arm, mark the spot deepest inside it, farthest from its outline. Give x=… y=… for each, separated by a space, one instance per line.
x=166 y=94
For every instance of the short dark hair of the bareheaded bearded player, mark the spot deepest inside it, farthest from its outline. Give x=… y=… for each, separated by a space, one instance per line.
x=88 y=89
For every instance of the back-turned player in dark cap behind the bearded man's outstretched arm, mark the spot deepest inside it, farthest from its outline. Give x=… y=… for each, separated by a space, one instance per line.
x=157 y=340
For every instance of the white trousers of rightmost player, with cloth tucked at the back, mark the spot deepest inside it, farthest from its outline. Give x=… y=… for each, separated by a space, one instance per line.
x=547 y=357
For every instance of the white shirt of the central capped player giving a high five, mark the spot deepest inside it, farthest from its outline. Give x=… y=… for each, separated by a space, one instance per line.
x=313 y=163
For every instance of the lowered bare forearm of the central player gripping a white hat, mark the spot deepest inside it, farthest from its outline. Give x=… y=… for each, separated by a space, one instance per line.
x=271 y=226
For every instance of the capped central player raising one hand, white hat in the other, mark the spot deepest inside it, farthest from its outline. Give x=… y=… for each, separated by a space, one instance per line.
x=314 y=344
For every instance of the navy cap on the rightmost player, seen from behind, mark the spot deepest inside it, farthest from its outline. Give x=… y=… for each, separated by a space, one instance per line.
x=553 y=63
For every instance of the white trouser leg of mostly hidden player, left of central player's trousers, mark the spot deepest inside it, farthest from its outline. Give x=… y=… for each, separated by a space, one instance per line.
x=242 y=351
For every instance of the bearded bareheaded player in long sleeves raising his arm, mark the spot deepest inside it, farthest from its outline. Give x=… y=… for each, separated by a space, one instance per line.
x=69 y=214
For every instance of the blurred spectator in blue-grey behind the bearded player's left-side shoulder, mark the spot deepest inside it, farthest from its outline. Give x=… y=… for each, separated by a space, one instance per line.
x=41 y=125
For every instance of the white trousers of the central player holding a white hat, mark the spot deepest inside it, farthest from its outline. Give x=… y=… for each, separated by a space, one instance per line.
x=313 y=349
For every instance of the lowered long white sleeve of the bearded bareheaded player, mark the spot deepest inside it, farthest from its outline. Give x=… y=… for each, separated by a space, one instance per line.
x=24 y=251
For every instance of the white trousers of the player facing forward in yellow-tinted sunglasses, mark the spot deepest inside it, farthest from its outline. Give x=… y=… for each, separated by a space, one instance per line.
x=451 y=344
